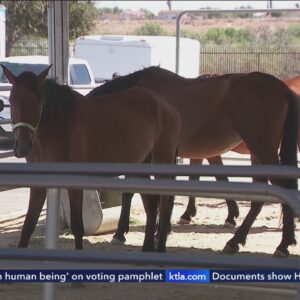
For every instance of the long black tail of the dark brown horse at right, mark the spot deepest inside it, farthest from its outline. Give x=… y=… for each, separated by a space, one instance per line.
x=288 y=148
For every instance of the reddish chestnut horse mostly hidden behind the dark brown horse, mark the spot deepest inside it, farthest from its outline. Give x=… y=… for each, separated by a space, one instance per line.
x=294 y=85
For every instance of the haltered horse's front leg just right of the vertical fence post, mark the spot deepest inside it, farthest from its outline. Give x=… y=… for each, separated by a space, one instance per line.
x=75 y=198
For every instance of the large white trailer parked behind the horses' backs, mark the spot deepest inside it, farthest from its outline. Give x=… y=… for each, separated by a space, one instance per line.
x=124 y=54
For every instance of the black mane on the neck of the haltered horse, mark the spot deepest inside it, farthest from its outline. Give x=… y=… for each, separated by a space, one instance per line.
x=58 y=99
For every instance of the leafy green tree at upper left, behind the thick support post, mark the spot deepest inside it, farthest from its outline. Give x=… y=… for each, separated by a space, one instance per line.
x=29 y=18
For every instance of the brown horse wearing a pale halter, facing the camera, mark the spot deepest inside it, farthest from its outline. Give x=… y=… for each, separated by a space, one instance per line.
x=52 y=123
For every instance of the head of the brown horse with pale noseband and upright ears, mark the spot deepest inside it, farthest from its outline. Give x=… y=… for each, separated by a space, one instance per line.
x=26 y=102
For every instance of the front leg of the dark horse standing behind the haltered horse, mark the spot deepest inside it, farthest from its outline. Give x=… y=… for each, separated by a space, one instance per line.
x=123 y=224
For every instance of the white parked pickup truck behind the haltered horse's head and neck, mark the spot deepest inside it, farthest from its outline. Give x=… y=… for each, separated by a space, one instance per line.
x=80 y=76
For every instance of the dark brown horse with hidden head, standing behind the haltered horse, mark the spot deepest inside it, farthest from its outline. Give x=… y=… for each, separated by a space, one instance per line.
x=217 y=115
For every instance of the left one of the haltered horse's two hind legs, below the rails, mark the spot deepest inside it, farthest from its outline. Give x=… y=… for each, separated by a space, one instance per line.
x=150 y=203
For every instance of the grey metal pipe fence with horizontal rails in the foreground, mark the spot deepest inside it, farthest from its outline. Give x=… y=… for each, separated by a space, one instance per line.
x=102 y=176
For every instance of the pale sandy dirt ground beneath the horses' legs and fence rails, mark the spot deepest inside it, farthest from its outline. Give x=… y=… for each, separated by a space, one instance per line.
x=205 y=235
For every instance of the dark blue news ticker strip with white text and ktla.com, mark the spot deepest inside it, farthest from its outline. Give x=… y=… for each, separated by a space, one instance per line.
x=171 y=276
